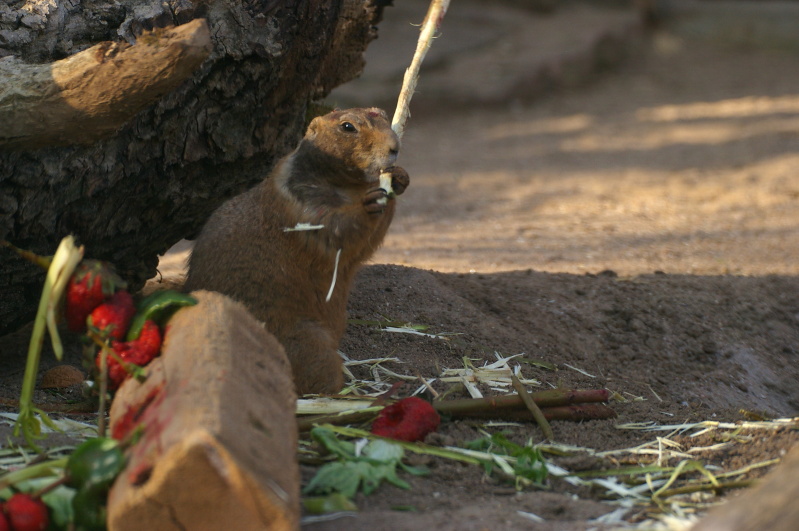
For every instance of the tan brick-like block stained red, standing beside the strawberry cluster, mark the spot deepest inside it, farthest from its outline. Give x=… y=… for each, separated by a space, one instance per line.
x=219 y=437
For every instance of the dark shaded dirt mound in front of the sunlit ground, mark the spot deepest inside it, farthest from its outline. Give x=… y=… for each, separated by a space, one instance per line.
x=679 y=348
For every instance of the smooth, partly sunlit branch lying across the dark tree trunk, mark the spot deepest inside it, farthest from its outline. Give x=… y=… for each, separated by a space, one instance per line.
x=89 y=95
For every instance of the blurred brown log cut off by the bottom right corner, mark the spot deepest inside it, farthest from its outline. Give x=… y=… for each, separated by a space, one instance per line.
x=771 y=505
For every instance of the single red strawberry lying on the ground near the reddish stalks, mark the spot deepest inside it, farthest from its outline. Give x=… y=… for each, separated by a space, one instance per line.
x=410 y=419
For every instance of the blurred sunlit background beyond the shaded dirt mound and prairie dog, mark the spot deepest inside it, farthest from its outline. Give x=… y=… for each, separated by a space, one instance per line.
x=581 y=136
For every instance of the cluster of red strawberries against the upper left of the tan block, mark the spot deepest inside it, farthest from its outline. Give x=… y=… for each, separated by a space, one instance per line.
x=96 y=301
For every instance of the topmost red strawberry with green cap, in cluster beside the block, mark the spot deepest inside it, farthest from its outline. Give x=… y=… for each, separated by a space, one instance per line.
x=90 y=285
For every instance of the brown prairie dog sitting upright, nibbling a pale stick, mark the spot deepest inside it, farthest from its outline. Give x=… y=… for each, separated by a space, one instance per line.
x=243 y=251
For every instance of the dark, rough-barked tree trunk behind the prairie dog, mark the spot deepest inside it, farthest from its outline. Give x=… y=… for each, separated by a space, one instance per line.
x=131 y=196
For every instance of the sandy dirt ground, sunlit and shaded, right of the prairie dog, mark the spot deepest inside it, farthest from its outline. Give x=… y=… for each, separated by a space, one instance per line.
x=641 y=229
